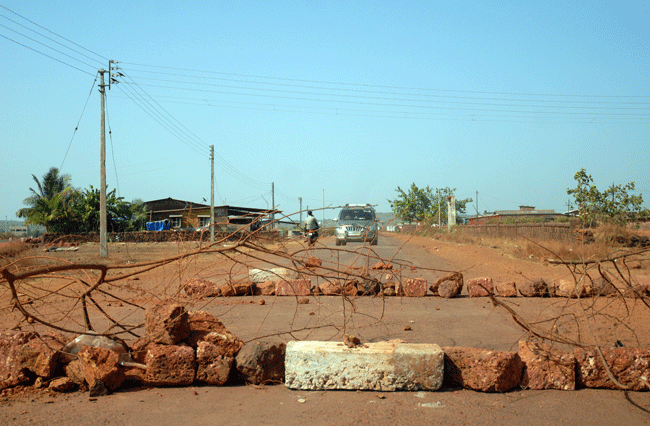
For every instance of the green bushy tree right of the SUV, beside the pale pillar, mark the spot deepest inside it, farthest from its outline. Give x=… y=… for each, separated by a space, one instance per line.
x=424 y=204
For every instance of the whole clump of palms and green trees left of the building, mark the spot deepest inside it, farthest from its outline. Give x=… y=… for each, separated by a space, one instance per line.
x=65 y=210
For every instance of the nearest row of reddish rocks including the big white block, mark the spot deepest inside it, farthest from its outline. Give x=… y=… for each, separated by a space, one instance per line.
x=183 y=348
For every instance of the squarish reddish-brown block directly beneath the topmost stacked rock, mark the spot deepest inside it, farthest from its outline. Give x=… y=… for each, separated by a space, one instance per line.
x=170 y=365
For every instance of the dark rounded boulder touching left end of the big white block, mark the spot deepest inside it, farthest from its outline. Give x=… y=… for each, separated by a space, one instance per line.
x=261 y=362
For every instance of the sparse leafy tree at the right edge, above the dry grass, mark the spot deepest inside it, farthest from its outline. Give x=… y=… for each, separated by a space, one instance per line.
x=614 y=205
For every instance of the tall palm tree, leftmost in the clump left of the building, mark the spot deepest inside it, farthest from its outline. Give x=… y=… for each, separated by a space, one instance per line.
x=44 y=202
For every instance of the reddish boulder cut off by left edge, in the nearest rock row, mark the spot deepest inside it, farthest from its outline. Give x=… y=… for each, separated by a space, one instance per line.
x=12 y=372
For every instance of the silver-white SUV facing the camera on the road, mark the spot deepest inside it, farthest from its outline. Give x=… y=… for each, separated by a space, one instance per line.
x=357 y=222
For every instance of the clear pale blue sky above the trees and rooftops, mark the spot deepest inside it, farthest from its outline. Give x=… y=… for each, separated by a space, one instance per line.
x=337 y=100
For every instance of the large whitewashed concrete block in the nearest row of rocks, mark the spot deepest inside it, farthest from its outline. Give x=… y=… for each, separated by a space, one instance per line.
x=382 y=366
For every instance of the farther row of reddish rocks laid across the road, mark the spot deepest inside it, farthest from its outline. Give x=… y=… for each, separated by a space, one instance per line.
x=380 y=281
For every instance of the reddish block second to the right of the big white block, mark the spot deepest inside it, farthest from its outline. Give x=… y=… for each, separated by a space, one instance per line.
x=546 y=367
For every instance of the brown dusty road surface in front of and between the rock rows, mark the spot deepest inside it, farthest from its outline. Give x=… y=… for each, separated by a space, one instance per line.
x=461 y=321
